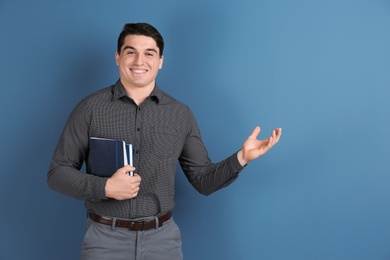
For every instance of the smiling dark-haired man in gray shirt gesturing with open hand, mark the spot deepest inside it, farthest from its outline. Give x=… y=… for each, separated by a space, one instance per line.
x=130 y=217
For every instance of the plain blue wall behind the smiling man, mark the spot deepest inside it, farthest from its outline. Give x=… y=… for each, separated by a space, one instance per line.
x=319 y=69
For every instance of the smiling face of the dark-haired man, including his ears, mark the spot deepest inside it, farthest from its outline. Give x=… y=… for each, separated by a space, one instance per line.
x=139 y=61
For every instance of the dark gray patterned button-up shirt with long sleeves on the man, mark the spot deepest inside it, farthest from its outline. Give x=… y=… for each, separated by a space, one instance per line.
x=163 y=132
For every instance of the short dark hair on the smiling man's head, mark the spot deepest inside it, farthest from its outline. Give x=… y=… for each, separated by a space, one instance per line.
x=141 y=29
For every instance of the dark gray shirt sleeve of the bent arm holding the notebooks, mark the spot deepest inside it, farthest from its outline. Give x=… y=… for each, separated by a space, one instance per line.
x=64 y=173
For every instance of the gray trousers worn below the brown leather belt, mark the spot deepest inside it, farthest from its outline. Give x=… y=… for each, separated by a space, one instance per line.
x=102 y=242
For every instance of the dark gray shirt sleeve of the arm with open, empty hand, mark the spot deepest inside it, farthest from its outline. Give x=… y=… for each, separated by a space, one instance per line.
x=204 y=175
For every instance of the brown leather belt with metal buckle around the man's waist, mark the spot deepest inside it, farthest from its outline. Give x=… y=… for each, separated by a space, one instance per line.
x=134 y=225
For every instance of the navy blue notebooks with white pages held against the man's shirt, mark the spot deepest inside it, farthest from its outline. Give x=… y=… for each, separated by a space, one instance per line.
x=108 y=155
